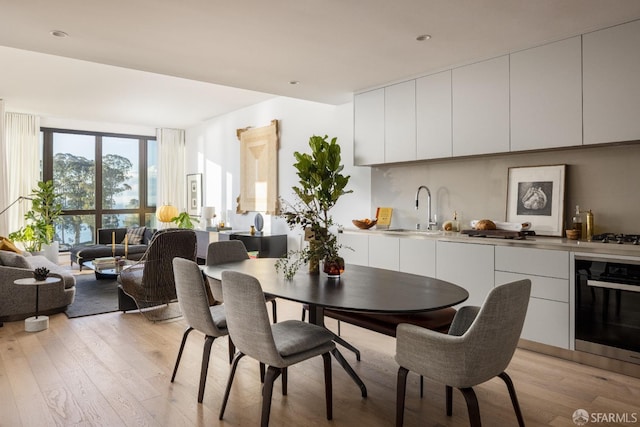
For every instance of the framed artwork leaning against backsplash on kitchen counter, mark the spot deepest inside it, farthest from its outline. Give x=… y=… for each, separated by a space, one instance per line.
x=536 y=195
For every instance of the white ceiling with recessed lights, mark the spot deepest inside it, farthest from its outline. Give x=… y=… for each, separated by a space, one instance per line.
x=165 y=63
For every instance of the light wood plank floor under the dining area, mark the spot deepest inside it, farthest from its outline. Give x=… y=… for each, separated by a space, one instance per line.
x=114 y=369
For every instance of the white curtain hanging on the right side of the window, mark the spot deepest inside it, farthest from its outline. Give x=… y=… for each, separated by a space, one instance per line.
x=171 y=168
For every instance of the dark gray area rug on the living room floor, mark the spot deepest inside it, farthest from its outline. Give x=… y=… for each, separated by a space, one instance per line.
x=93 y=296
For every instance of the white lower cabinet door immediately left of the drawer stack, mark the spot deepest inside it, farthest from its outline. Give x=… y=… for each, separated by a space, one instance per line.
x=468 y=265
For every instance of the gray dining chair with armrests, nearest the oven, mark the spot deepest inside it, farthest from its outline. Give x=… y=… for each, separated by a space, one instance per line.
x=478 y=347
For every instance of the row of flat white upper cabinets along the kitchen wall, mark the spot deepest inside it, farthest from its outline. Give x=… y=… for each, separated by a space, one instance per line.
x=581 y=90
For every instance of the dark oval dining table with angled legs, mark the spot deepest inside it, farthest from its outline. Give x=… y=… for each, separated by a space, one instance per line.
x=359 y=288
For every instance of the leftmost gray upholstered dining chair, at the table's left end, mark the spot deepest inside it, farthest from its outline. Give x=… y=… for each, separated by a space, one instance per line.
x=209 y=320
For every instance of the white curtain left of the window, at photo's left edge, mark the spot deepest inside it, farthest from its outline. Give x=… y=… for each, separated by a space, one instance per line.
x=22 y=143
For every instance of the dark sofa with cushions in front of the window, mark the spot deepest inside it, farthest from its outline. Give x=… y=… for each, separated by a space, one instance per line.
x=105 y=248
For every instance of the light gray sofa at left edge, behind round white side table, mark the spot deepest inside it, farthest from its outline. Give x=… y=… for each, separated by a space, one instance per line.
x=17 y=302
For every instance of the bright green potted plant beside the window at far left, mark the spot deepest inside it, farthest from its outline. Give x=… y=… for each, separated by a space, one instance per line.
x=40 y=221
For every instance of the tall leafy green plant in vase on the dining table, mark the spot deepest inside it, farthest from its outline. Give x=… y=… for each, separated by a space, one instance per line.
x=321 y=184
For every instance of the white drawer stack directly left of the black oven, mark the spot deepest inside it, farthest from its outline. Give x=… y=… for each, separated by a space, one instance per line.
x=548 y=316
